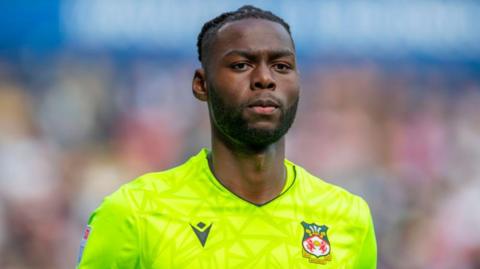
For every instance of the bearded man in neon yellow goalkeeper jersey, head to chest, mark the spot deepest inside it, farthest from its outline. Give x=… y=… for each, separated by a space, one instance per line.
x=240 y=205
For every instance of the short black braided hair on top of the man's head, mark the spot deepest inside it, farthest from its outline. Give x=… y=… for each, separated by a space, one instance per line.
x=210 y=28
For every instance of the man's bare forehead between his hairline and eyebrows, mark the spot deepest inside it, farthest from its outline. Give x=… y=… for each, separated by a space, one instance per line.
x=253 y=35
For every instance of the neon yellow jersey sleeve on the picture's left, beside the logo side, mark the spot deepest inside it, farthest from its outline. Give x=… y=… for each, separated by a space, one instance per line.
x=110 y=239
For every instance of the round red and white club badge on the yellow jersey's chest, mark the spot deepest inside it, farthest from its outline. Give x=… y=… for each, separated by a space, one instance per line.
x=316 y=247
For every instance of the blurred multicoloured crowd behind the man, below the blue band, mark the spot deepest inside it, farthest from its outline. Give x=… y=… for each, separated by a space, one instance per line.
x=405 y=137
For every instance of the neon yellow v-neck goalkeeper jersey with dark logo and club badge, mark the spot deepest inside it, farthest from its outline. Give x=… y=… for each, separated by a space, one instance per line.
x=185 y=218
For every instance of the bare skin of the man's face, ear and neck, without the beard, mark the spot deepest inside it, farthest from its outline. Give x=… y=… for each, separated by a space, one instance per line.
x=250 y=64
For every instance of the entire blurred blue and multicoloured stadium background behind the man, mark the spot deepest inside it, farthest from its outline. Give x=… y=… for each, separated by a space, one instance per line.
x=95 y=93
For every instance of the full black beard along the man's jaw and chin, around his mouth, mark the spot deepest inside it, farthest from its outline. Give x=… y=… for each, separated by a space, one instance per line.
x=231 y=123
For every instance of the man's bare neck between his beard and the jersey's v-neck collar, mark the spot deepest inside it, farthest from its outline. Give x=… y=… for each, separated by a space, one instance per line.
x=257 y=176
